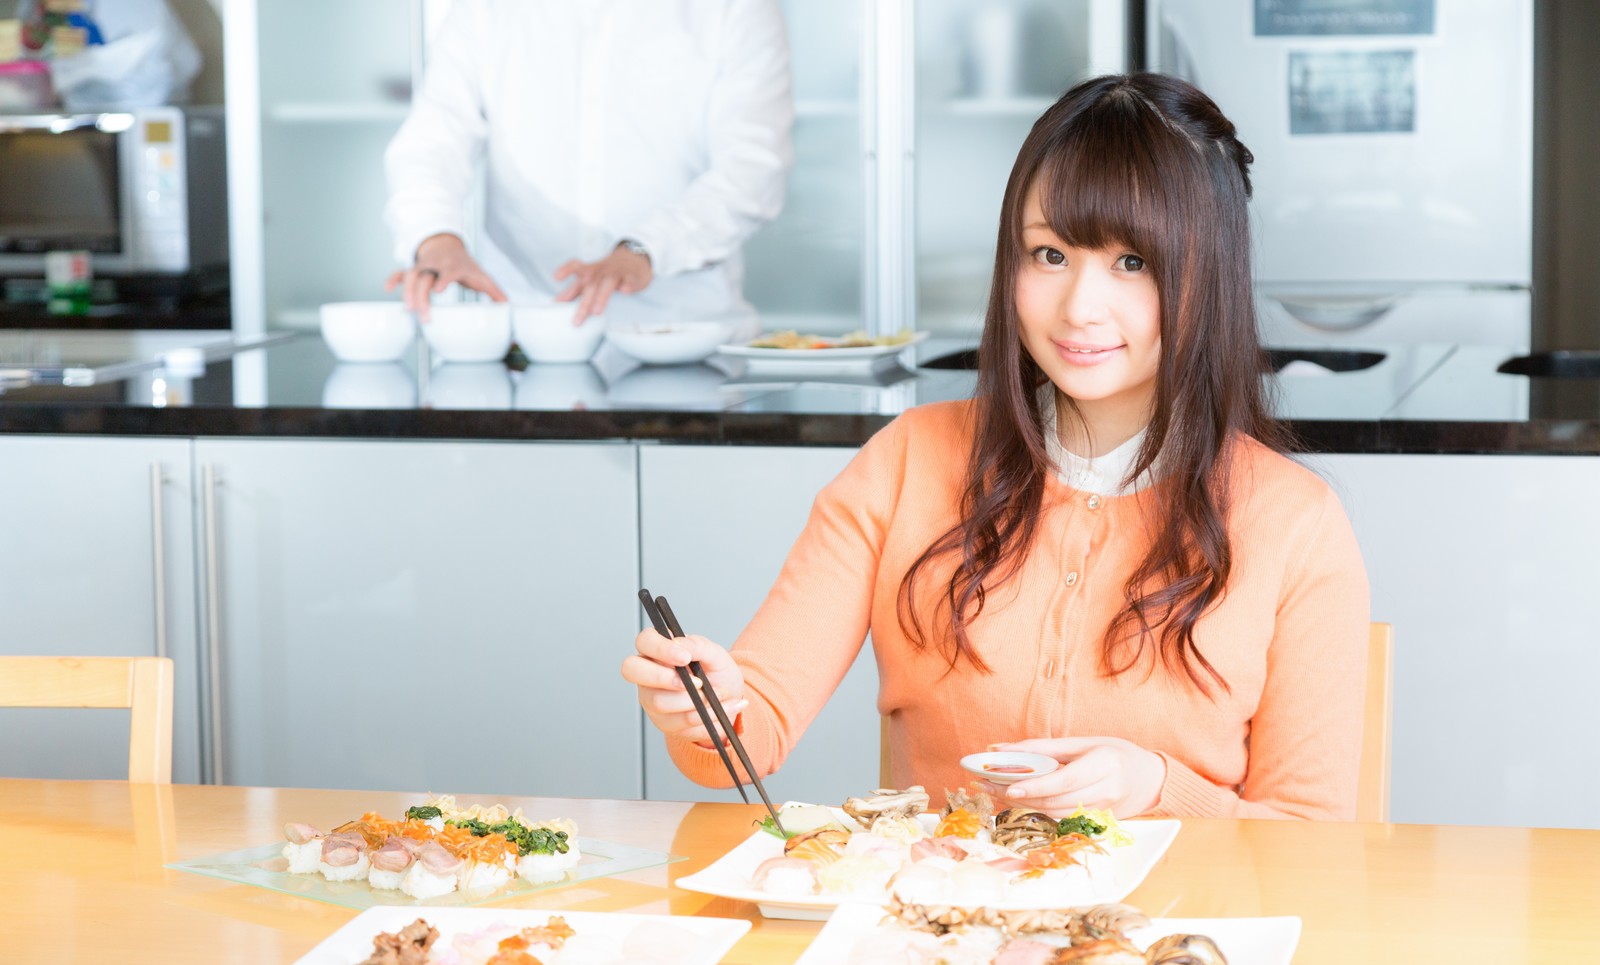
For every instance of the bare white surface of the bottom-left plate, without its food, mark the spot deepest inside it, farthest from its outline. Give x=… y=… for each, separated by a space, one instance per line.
x=634 y=939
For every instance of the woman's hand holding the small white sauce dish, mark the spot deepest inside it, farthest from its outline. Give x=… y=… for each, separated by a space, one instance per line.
x=1095 y=774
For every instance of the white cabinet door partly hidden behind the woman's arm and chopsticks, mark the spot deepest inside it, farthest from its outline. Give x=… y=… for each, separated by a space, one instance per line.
x=716 y=524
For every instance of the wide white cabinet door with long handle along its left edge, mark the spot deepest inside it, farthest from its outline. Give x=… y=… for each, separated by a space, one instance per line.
x=426 y=617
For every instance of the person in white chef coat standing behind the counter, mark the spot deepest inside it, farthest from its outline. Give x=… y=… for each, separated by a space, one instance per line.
x=630 y=150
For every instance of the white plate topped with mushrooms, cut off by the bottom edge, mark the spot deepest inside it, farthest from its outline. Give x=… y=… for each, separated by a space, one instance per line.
x=876 y=934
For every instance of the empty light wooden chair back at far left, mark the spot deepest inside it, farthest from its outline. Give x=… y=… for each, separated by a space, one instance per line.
x=140 y=684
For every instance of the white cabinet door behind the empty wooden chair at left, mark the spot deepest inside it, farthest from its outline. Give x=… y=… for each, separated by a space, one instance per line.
x=97 y=561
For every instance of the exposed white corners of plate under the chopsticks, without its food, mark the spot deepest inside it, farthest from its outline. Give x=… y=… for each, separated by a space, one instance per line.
x=730 y=876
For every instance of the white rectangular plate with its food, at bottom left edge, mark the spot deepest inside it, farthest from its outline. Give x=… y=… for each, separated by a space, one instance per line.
x=474 y=935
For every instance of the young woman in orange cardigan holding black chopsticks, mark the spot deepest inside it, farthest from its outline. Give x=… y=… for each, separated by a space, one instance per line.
x=1102 y=556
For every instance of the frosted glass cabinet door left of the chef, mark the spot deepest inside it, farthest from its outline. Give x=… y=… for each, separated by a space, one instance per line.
x=330 y=86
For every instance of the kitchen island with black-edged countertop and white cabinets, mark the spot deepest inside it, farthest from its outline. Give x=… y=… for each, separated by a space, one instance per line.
x=278 y=511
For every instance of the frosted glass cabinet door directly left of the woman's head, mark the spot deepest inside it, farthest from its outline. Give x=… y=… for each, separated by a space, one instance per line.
x=985 y=71
